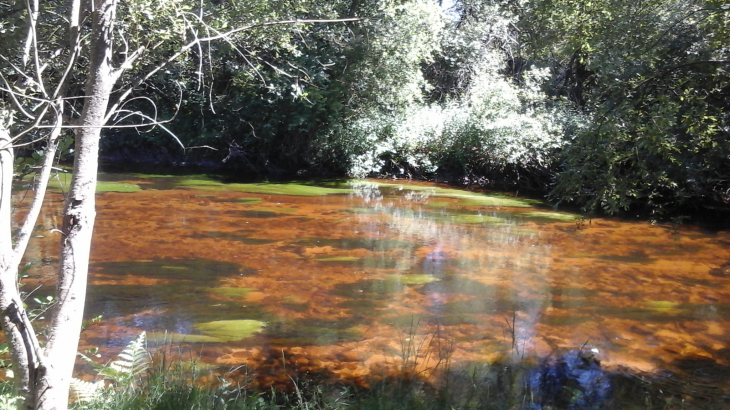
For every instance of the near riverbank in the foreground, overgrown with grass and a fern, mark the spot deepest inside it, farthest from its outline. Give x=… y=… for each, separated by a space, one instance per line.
x=572 y=380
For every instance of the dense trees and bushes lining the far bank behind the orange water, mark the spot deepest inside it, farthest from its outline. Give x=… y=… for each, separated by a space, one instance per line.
x=607 y=105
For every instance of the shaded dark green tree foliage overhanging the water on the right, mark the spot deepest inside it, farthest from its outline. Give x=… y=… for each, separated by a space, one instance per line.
x=655 y=76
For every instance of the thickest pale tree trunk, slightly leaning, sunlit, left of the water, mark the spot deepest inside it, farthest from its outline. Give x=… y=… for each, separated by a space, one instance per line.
x=78 y=218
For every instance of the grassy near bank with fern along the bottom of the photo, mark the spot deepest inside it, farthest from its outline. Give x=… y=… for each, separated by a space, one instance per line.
x=496 y=386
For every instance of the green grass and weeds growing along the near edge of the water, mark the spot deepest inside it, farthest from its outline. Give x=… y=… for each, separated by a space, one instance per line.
x=188 y=384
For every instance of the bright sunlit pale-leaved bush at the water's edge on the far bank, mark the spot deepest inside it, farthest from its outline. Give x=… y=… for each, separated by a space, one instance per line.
x=498 y=125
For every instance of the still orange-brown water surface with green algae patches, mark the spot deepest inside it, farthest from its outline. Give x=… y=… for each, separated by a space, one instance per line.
x=341 y=277
